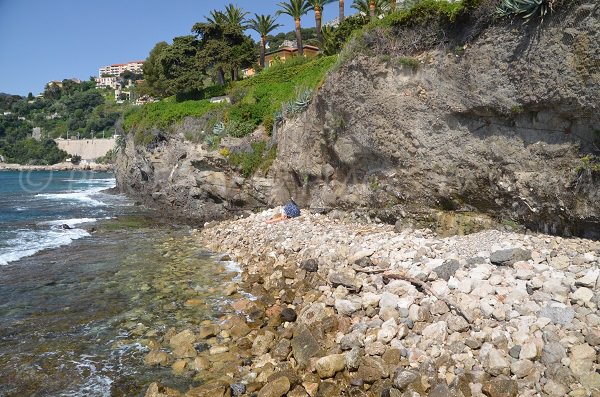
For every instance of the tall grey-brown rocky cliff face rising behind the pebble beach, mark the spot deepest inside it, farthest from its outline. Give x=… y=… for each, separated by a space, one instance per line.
x=499 y=127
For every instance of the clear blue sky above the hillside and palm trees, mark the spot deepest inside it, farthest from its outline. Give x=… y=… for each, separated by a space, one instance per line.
x=45 y=40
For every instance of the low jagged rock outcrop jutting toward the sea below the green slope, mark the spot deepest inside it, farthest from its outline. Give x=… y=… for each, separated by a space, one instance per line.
x=185 y=180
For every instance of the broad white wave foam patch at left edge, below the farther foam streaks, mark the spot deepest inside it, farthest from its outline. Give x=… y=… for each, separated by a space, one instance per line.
x=29 y=242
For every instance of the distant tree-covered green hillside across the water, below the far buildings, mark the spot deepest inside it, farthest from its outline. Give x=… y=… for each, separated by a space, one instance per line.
x=69 y=108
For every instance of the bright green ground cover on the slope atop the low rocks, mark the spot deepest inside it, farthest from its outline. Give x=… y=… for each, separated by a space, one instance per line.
x=257 y=99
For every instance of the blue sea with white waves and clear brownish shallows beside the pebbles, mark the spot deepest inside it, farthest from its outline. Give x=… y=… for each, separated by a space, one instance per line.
x=88 y=280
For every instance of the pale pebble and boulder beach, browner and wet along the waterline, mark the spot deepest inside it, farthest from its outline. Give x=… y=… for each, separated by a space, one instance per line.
x=329 y=306
